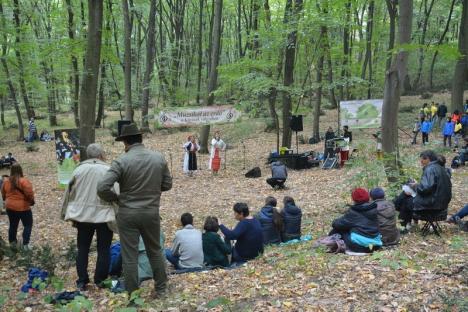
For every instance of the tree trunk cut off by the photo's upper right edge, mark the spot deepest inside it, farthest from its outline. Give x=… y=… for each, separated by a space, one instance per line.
x=460 y=76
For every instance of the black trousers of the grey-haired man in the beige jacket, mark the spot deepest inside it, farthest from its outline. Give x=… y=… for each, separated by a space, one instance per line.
x=84 y=239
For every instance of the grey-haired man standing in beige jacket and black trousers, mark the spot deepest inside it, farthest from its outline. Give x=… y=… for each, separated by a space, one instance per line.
x=90 y=215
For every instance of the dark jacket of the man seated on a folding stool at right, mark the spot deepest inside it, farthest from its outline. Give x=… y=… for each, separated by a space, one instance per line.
x=434 y=192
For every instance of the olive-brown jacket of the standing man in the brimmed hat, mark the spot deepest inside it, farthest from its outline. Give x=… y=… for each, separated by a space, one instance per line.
x=142 y=176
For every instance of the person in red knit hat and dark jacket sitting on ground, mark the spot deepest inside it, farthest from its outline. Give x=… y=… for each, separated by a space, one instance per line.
x=358 y=227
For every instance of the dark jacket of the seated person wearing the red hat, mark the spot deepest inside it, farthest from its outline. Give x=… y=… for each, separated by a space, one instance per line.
x=360 y=219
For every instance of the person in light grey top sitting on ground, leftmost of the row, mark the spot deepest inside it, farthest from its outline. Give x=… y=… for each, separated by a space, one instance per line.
x=187 y=247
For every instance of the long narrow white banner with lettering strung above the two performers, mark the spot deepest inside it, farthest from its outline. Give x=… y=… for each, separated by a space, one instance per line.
x=198 y=116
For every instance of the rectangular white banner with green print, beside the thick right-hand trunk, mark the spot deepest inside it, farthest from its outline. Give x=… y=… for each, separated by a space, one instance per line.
x=361 y=113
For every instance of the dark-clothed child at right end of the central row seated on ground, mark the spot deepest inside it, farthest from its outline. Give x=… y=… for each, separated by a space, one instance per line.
x=292 y=218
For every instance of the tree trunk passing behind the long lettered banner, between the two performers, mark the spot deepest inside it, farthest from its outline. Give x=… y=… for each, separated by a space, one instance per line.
x=213 y=76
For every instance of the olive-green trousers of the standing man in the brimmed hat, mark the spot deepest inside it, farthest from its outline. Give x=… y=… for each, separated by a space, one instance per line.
x=132 y=224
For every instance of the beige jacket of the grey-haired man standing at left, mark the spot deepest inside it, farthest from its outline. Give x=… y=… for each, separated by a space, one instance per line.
x=81 y=202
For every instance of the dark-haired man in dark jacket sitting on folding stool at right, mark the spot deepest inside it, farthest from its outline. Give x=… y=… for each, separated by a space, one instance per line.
x=434 y=192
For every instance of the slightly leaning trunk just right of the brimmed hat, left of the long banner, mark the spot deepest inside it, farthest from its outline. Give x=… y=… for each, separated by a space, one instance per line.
x=150 y=54
